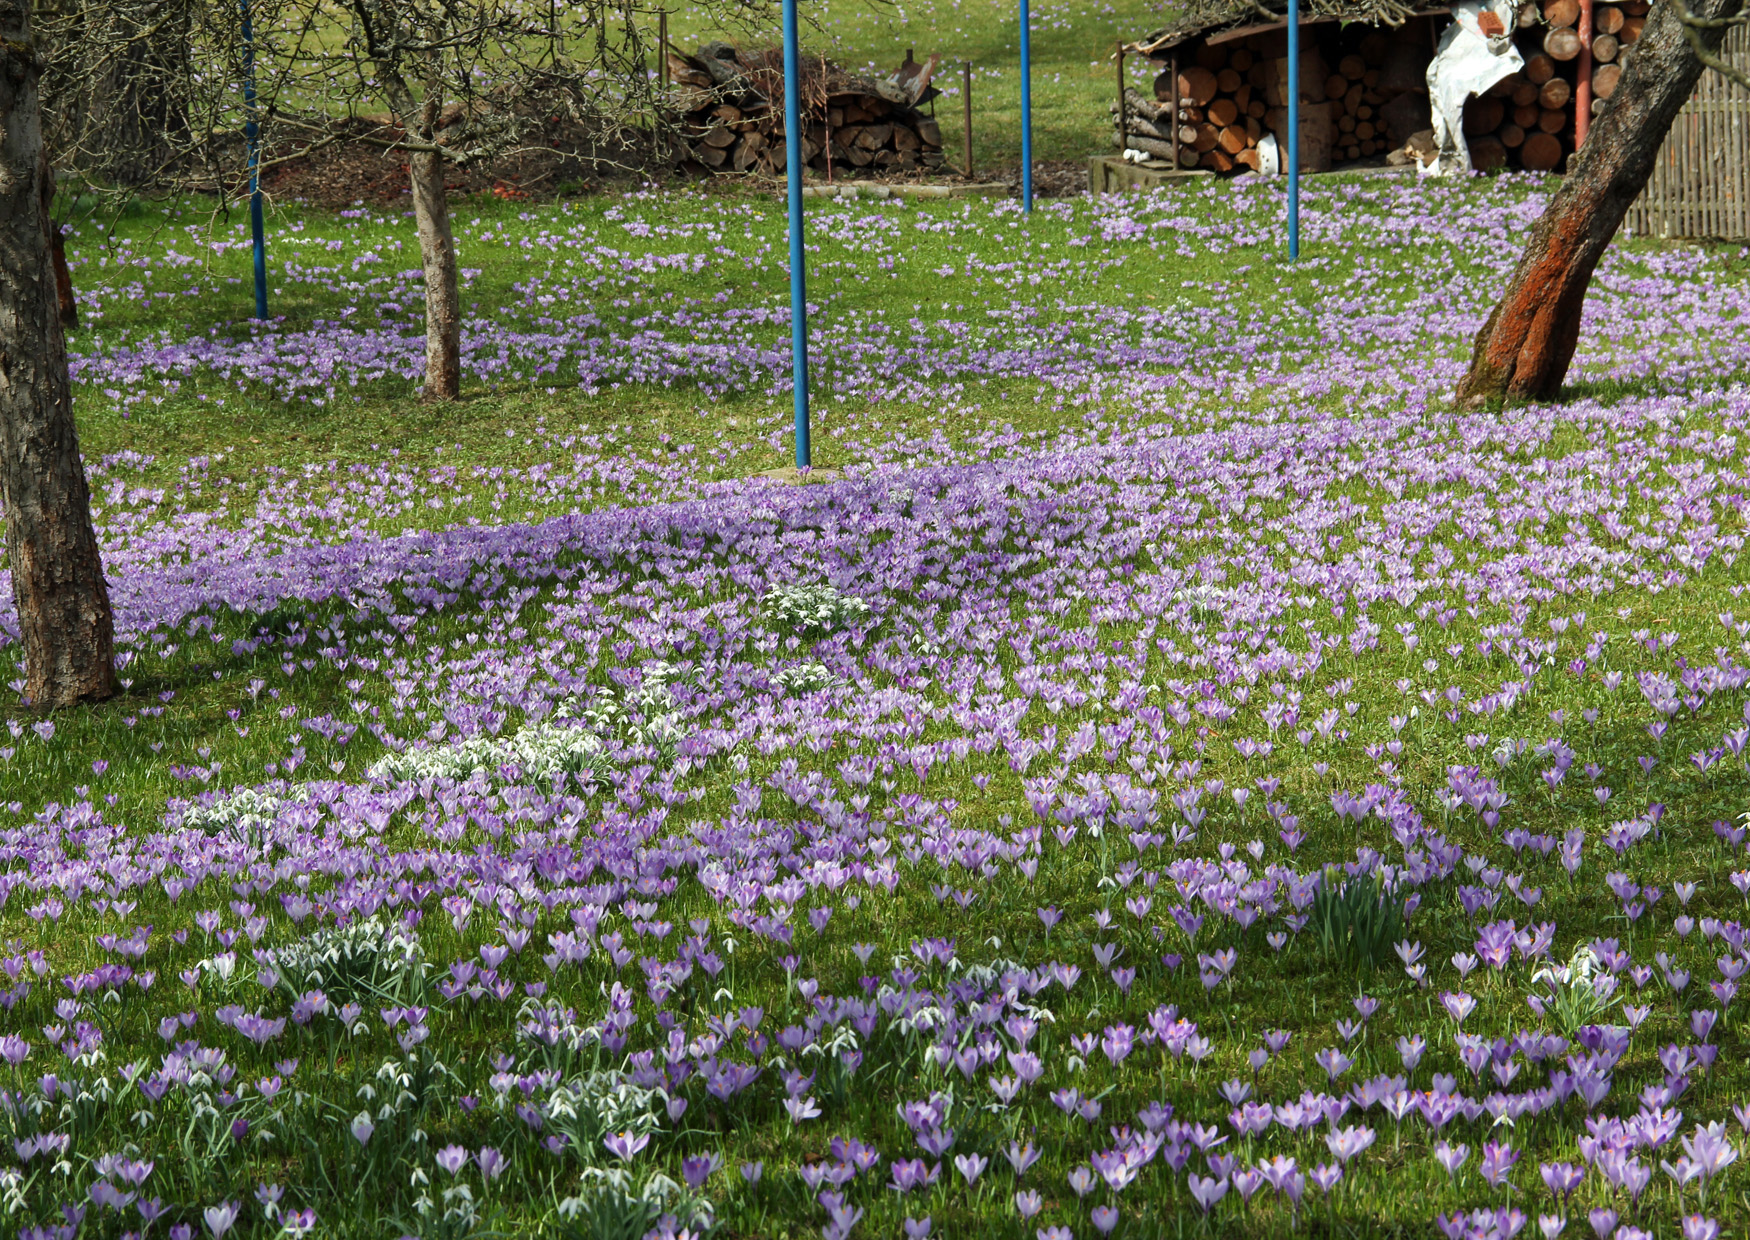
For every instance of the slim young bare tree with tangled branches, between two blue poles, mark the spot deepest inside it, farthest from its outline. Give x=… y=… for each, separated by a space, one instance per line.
x=465 y=81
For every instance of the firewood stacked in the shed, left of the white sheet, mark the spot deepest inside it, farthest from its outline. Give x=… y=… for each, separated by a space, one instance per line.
x=1233 y=95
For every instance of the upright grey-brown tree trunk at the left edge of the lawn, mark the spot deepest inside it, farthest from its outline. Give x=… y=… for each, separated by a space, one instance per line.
x=64 y=610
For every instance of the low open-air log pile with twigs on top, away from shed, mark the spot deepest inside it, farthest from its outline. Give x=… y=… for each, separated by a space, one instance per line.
x=732 y=108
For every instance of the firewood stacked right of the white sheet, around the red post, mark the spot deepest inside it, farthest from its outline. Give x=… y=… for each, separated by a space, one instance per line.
x=1527 y=122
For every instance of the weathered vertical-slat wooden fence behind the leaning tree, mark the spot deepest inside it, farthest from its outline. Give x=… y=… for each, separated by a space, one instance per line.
x=1702 y=183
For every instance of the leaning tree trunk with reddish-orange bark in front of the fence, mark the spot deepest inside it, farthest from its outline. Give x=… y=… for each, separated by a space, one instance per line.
x=1525 y=349
